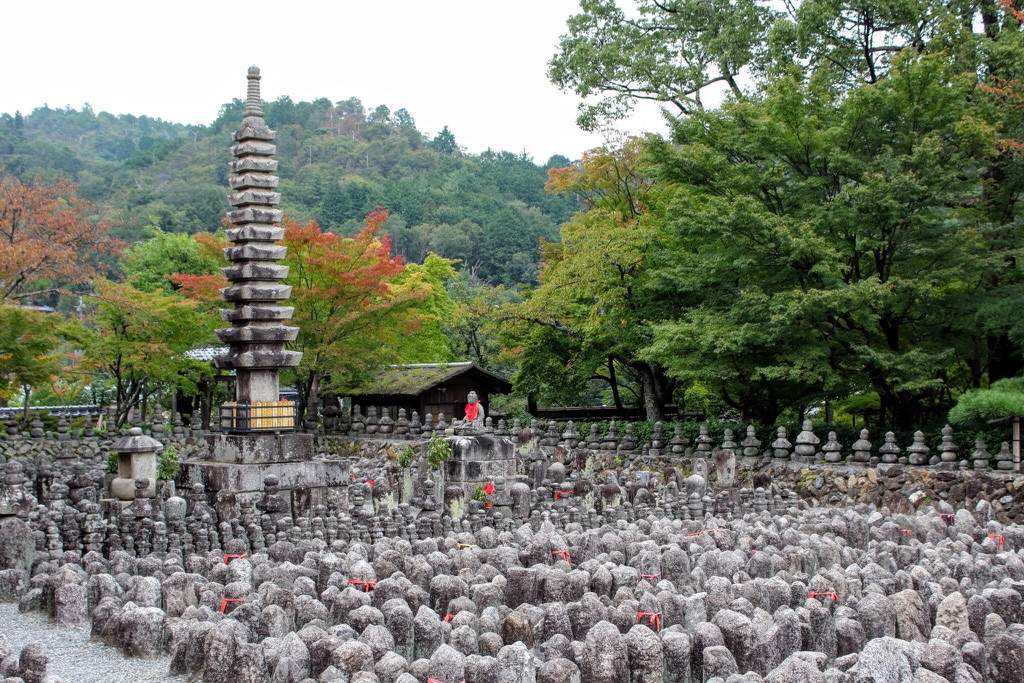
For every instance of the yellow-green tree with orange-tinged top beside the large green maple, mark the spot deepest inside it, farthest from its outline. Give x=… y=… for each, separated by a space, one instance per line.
x=591 y=316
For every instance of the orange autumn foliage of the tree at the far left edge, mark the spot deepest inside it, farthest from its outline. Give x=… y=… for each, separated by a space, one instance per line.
x=47 y=234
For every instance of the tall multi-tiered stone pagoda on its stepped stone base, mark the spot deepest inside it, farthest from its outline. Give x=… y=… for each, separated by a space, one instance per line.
x=258 y=437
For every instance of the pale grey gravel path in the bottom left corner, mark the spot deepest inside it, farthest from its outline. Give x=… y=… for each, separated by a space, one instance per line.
x=76 y=659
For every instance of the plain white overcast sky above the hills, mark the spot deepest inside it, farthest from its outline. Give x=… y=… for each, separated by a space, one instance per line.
x=479 y=67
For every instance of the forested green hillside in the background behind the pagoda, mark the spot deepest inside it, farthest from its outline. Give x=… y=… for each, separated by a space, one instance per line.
x=338 y=162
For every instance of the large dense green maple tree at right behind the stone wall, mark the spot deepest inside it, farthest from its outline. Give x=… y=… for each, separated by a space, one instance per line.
x=830 y=244
